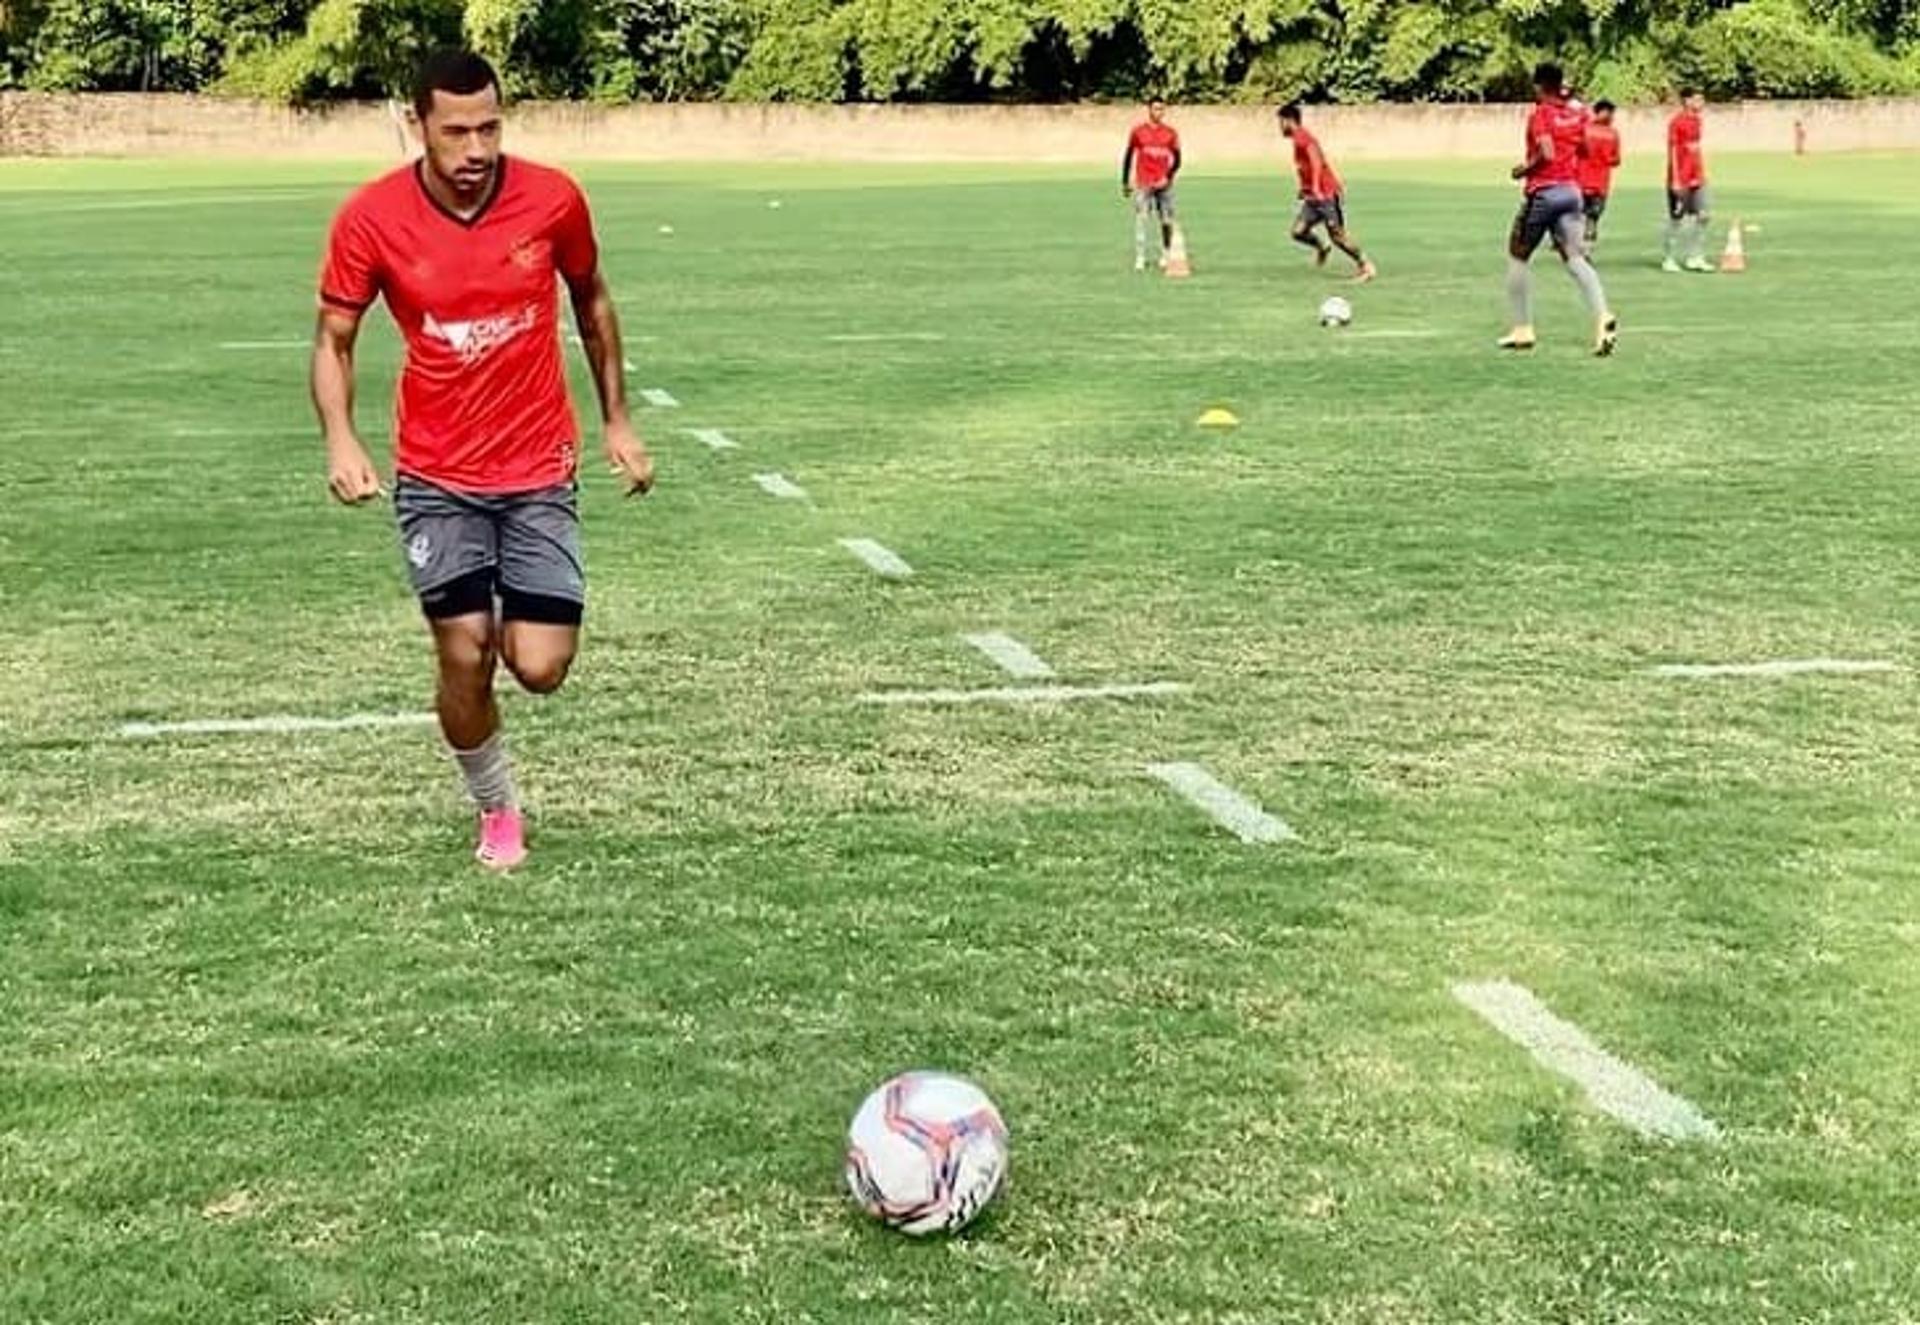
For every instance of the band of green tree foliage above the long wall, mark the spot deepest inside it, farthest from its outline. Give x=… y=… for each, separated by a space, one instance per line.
x=972 y=49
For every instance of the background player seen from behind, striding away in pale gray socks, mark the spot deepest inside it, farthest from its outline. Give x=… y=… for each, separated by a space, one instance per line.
x=1552 y=206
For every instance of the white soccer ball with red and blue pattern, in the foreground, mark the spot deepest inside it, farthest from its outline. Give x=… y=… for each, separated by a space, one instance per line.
x=926 y=1153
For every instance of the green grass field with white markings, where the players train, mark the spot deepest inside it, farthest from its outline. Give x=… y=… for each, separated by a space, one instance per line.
x=272 y=1049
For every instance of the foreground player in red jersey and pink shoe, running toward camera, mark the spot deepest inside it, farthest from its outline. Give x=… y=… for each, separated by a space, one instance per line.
x=468 y=249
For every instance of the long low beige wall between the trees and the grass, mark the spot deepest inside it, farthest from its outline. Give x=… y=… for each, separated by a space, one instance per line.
x=197 y=126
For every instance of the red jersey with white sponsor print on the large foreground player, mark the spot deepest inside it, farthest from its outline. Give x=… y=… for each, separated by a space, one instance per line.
x=483 y=400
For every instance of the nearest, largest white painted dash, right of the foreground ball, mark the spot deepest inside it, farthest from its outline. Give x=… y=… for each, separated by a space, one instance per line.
x=1612 y=1086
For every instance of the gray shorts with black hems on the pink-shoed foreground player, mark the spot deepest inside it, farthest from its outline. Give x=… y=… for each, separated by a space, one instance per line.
x=468 y=548
